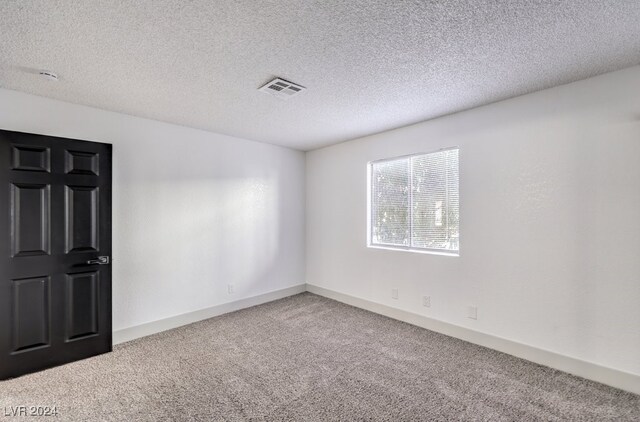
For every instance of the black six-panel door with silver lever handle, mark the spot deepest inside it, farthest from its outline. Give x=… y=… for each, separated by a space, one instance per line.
x=55 y=248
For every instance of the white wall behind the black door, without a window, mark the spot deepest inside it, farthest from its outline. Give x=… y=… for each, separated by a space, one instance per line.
x=192 y=210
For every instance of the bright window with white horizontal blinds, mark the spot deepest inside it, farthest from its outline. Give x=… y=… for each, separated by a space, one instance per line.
x=414 y=202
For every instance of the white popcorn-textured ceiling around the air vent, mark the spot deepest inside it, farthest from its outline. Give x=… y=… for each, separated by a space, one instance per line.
x=369 y=65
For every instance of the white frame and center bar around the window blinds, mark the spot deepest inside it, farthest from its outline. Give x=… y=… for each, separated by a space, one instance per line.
x=415 y=249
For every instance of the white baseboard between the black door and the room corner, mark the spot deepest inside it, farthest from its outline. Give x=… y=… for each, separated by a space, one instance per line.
x=132 y=333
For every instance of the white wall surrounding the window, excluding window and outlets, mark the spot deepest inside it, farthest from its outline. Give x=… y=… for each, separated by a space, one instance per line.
x=550 y=221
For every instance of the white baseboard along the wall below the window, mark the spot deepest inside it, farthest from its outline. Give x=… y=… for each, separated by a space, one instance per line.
x=613 y=377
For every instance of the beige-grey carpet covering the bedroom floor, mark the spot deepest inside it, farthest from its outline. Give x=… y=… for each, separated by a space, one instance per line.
x=306 y=358
